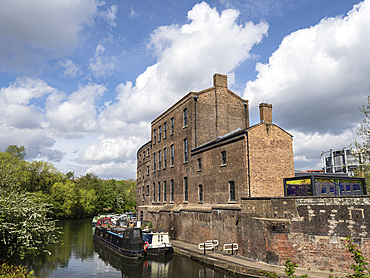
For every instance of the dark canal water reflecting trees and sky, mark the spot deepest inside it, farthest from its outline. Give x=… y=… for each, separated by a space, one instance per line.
x=78 y=256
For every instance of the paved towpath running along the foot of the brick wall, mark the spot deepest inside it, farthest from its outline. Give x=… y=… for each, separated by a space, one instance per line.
x=239 y=264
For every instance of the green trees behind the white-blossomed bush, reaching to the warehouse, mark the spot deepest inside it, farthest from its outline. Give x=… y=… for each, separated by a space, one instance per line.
x=70 y=197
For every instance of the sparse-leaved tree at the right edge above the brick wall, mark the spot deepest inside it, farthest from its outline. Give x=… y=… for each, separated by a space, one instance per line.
x=362 y=144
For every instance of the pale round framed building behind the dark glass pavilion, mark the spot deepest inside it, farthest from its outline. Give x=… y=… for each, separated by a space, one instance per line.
x=339 y=161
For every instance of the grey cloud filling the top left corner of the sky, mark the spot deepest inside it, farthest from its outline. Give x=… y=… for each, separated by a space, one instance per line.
x=33 y=31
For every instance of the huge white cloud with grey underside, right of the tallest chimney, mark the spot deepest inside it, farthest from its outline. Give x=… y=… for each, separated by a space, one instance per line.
x=318 y=76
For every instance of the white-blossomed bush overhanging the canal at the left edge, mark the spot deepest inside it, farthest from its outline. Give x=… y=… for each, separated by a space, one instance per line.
x=24 y=226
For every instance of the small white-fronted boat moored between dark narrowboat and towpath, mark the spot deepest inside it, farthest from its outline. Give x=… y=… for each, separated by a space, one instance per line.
x=157 y=243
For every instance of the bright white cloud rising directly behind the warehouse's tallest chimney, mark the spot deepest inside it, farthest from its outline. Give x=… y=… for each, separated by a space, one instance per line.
x=188 y=56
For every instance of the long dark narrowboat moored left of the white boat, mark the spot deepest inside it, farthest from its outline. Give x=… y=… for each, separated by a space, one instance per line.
x=127 y=243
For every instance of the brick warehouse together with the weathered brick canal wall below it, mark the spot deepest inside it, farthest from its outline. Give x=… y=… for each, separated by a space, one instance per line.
x=225 y=182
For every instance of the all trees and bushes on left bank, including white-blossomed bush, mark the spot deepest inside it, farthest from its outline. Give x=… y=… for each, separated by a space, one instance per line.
x=33 y=195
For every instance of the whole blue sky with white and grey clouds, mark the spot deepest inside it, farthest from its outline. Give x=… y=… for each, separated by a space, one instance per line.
x=81 y=80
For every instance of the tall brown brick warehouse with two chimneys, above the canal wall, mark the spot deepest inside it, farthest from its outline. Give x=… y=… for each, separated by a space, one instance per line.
x=203 y=151
